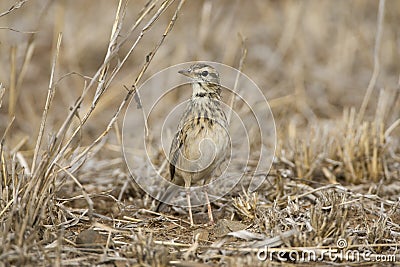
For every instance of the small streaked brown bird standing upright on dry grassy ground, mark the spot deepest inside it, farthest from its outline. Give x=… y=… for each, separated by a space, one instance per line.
x=201 y=141
